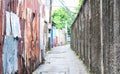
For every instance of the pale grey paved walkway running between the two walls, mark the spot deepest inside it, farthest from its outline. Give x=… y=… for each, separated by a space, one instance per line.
x=61 y=60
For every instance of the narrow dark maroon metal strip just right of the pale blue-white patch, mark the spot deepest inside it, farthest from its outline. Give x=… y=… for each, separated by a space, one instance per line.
x=21 y=49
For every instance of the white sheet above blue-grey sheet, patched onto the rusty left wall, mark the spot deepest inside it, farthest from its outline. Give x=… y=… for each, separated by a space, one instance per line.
x=10 y=46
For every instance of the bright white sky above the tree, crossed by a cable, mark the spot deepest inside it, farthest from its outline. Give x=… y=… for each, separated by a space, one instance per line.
x=69 y=3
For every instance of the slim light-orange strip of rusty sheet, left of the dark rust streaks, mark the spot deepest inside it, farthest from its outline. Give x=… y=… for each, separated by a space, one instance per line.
x=28 y=39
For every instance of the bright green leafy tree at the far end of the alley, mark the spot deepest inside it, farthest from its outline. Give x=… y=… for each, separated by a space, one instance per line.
x=63 y=16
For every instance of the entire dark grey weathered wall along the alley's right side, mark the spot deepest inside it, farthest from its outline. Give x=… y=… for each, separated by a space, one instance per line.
x=95 y=35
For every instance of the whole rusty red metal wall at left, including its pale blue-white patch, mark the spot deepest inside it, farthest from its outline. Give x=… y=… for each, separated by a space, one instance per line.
x=28 y=47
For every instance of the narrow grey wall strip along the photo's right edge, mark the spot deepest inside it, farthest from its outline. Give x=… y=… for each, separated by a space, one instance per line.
x=117 y=34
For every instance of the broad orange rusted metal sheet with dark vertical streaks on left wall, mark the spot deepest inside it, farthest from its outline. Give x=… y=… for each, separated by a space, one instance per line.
x=32 y=40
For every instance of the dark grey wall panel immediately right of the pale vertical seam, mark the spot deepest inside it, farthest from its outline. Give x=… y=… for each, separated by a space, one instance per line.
x=108 y=36
